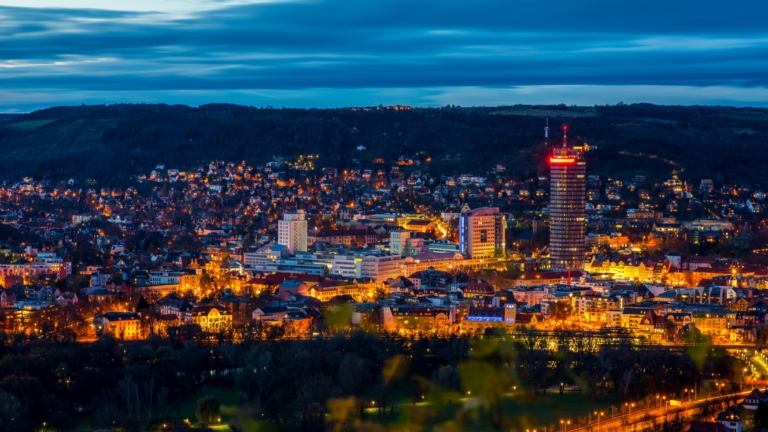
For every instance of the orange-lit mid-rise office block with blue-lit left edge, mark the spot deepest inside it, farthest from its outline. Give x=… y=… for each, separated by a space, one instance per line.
x=481 y=233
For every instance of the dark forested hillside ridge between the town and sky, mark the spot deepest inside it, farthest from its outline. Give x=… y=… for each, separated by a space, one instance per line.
x=109 y=143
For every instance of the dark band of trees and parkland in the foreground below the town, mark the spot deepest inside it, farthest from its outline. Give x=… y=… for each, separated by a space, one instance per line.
x=351 y=382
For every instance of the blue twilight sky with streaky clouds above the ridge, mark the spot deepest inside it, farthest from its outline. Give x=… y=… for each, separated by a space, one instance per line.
x=329 y=53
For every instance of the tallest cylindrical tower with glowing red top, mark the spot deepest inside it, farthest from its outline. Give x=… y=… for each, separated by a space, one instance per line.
x=566 y=208
